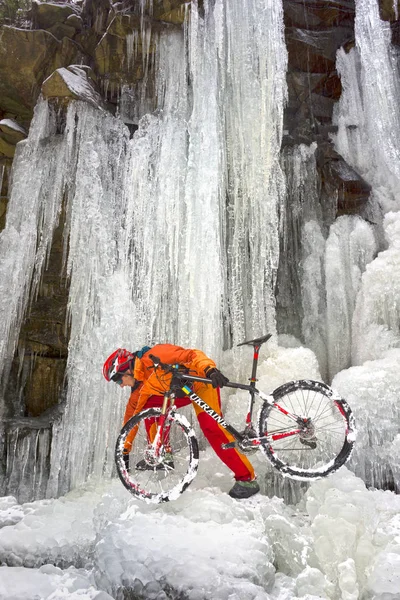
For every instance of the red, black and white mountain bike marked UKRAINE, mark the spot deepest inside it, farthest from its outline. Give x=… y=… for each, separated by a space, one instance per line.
x=304 y=429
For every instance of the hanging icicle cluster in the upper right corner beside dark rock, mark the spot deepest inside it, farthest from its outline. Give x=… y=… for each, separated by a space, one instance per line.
x=368 y=113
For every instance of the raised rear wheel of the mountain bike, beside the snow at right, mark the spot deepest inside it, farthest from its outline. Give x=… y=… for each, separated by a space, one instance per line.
x=310 y=430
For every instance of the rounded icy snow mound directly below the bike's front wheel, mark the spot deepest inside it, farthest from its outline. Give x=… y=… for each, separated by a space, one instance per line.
x=230 y=558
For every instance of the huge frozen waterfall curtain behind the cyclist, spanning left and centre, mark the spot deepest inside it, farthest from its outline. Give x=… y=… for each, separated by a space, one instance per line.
x=170 y=236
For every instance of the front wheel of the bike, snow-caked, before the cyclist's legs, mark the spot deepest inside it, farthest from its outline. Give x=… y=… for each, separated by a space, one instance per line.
x=161 y=478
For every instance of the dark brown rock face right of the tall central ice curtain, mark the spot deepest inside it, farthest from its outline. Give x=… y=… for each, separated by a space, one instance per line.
x=315 y=30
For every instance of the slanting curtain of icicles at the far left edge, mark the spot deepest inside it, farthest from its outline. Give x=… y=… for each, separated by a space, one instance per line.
x=32 y=215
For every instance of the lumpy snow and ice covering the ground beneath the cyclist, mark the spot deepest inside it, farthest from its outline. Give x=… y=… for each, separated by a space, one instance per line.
x=340 y=542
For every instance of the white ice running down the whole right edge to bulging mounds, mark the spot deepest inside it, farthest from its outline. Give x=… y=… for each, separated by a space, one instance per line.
x=368 y=118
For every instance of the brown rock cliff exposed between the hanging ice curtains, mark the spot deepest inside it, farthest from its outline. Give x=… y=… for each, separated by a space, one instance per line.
x=84 y=50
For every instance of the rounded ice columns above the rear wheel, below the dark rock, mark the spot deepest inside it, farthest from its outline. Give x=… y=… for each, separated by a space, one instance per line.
x=320 y=264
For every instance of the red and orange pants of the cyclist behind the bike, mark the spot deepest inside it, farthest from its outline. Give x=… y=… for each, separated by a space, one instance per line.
x=215 y=434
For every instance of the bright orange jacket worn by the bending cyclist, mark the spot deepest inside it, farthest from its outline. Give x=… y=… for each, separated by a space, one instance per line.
x=155 y=383
